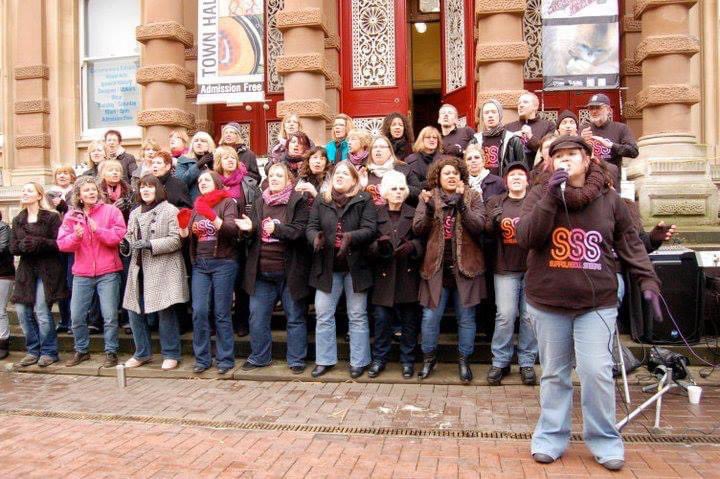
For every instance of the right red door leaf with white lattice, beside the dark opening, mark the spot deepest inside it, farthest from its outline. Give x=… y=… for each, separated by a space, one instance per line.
x=457 y=55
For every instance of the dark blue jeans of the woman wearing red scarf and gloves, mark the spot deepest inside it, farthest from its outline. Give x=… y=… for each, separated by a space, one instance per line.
x=218 y=276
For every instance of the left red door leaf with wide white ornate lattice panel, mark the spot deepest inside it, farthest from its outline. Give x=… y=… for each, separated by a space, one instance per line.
x=374 y=57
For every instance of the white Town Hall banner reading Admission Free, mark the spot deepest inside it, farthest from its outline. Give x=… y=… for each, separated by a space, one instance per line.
x=231 y=46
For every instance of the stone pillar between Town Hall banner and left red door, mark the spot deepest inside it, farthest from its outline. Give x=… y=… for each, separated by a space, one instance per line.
x=303 y=64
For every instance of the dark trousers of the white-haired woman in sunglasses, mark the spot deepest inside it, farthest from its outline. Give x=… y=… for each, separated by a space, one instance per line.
x=409 y=314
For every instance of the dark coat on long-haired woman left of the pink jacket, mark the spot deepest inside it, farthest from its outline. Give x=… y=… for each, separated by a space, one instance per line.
x=38 y=259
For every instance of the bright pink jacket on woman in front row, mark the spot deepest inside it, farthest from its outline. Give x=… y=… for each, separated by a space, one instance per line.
x=96 y=253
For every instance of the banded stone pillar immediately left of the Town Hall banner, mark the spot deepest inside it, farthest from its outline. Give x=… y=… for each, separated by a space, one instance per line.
x=162 y=74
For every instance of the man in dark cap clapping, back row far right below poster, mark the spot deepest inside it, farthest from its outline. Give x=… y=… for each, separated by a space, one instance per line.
x=610 y=140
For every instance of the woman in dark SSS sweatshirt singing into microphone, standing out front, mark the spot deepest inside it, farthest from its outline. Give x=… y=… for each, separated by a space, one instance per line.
x=570 y=233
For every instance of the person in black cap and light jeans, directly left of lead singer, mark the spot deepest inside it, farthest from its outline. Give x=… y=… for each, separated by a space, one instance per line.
x=503 y=214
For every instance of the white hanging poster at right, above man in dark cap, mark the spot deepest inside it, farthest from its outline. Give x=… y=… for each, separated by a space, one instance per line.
x=580 y=44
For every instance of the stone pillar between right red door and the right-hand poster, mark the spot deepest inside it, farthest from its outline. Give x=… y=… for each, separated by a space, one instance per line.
x=500 y=53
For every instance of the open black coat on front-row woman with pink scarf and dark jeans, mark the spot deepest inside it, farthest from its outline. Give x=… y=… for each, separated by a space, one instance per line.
x=297 y=252
